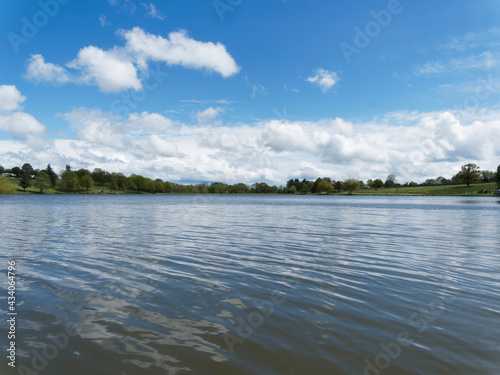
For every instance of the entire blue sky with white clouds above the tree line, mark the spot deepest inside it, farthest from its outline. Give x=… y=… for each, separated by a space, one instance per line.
x=251 y=91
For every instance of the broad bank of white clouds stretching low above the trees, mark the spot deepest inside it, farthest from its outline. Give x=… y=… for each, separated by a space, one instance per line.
x=414 y=146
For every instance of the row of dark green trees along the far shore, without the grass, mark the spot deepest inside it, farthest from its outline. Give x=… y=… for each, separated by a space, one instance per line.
x=72 y=181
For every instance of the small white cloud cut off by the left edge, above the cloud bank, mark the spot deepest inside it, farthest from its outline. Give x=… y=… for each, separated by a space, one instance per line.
x=12 y=119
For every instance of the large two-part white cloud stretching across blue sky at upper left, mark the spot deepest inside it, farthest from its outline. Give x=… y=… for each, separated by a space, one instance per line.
x=116 y=69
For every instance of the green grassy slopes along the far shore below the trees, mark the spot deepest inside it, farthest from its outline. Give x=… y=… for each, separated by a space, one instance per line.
x=416 y=190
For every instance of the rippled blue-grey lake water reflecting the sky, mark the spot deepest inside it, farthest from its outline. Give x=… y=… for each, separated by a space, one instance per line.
x=145 y=284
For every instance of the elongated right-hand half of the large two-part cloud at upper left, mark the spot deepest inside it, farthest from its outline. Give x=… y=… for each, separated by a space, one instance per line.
x=179 y=49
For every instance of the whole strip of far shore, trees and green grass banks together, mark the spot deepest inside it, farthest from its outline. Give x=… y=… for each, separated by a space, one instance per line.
x=469 y=181
